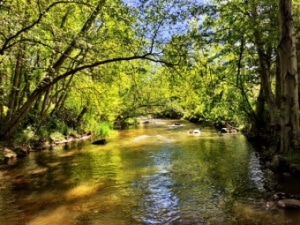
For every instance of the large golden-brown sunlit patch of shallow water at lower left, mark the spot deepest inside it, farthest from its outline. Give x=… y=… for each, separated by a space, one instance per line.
x=70 y=207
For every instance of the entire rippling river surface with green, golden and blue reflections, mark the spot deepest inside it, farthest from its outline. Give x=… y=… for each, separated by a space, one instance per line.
x=156 y=174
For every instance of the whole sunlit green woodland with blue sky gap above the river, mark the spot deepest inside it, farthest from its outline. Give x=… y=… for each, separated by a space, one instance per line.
x=80 y=66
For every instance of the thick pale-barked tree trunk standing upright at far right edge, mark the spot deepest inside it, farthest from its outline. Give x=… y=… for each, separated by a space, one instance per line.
x=289 y=109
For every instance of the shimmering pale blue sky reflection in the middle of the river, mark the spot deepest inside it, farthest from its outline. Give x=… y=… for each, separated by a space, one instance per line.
x=159 y=204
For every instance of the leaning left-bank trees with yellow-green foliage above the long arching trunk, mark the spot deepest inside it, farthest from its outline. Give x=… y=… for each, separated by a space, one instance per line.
x=54 y=41
